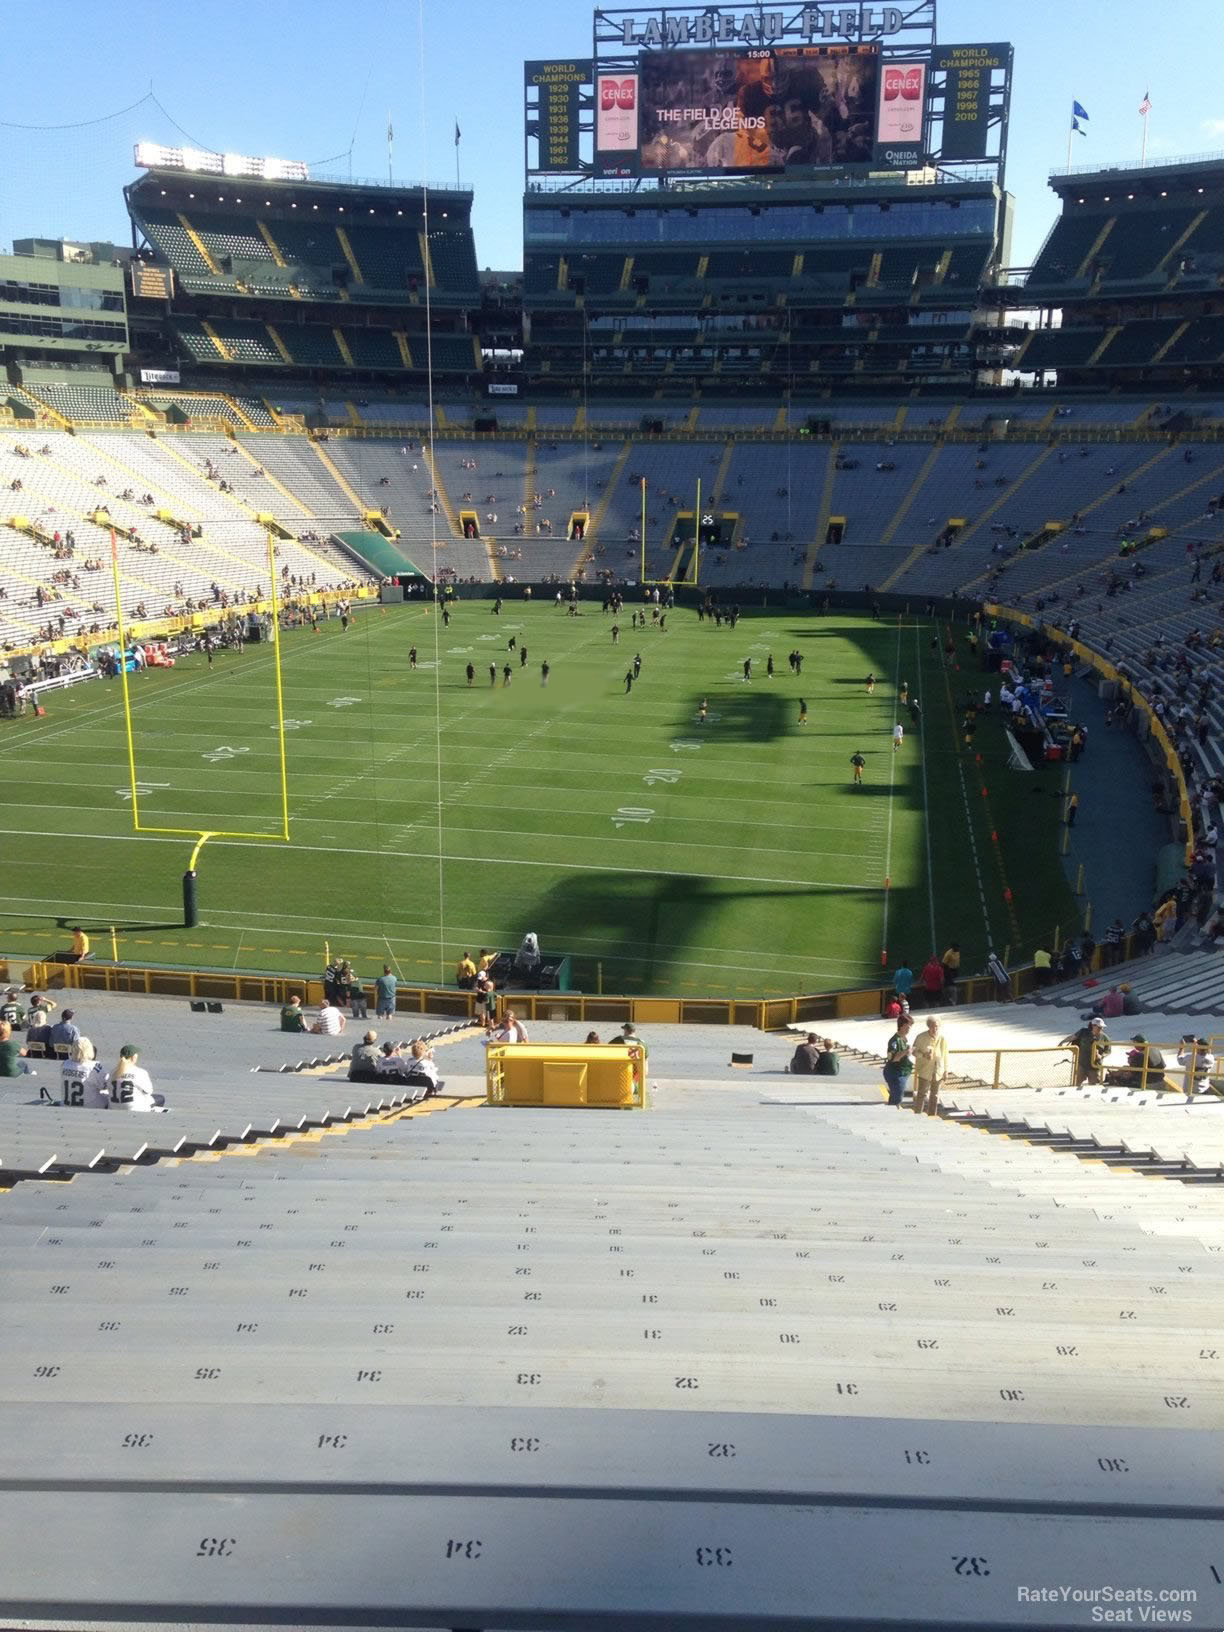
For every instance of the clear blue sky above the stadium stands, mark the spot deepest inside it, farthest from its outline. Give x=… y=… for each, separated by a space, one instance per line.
x=304 y=79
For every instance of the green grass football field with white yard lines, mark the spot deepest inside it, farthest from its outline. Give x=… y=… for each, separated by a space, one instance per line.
x=428 y=818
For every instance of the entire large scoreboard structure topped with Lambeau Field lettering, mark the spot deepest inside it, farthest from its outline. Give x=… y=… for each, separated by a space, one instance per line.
x=753 y=92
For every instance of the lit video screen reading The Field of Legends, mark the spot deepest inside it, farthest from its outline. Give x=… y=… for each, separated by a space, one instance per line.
x=758 y=110
